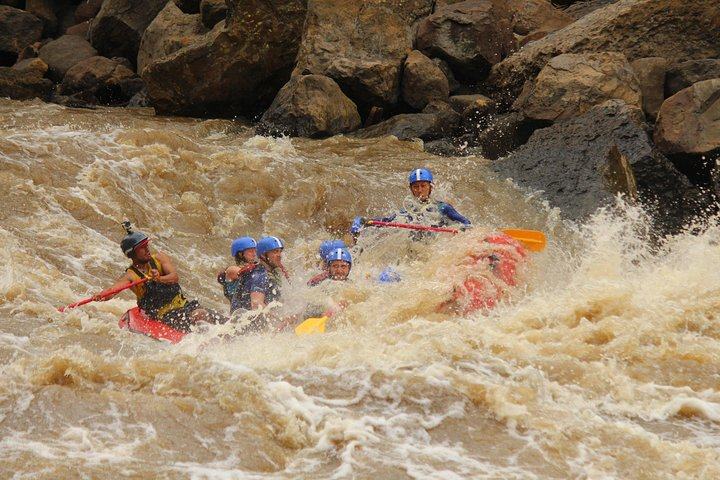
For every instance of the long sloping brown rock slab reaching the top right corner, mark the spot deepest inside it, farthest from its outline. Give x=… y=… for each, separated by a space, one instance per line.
x=673 y=29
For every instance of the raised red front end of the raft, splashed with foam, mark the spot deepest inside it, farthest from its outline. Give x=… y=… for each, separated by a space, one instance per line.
x=488 y=271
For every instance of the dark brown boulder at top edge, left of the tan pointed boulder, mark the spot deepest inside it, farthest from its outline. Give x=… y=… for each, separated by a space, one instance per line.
x=117 y=29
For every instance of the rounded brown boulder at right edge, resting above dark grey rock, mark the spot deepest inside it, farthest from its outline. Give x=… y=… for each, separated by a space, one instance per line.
x=689 y=121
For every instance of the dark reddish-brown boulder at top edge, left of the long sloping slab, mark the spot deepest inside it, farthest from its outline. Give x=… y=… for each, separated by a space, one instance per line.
x=470 y=36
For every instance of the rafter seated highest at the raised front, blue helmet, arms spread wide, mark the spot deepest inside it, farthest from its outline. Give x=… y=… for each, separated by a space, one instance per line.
x=423 y=210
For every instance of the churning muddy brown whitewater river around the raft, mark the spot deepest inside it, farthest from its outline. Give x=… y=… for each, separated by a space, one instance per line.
x=605 y=365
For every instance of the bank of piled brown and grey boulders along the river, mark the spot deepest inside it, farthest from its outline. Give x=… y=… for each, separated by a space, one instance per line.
x=582 y=100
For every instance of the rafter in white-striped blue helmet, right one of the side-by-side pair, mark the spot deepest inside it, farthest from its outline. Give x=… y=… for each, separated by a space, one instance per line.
x=262 y=284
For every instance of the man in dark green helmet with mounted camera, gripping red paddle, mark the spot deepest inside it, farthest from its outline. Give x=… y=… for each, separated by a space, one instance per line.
x=161 y=296
